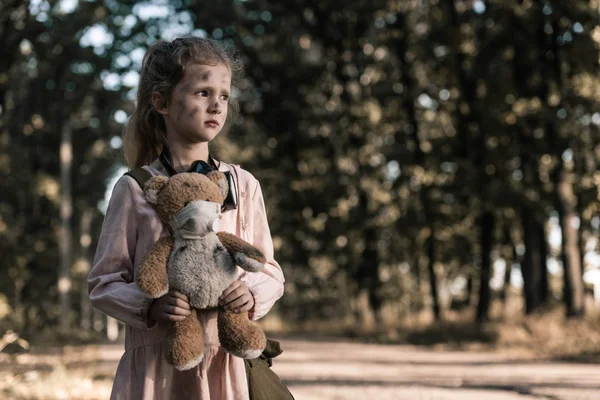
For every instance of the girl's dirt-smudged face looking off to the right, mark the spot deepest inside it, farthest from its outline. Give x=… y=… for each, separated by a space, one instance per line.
x=198 y=105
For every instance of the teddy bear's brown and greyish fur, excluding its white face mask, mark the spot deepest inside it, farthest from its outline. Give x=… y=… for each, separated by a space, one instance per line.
x=185 y=343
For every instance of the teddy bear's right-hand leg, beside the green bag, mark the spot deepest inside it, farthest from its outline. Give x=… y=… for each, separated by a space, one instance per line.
x=240 y=336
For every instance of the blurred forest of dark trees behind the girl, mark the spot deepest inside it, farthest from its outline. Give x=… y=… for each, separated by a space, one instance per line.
x=418 y=158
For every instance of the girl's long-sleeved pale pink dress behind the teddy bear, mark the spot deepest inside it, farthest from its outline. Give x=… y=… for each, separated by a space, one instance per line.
x=130 y=229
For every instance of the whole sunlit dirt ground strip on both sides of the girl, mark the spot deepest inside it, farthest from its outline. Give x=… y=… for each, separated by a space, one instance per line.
x=328 y=370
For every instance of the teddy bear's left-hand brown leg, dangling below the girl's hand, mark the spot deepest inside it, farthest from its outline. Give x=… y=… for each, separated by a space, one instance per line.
x=185 y=343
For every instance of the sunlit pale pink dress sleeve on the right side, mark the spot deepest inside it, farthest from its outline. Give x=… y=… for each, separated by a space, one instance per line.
x=265 y=286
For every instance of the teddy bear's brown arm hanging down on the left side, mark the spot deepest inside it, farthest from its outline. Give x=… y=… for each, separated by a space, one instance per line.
x=151 y=274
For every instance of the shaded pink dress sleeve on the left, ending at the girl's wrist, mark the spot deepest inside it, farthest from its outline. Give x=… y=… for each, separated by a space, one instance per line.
x=111 y=281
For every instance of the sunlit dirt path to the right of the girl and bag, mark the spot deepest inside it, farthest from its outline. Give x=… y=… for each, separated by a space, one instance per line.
x=330 y=370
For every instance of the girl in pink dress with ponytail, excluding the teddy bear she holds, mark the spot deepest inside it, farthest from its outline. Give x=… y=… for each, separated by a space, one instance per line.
x=183 y=102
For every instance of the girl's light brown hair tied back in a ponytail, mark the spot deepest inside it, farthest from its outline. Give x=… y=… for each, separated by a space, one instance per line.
x=162 y=69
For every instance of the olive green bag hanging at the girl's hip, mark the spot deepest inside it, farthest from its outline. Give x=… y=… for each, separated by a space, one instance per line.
x=263 y=383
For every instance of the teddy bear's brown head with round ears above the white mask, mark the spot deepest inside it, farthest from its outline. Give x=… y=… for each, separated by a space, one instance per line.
x=170 y=195
